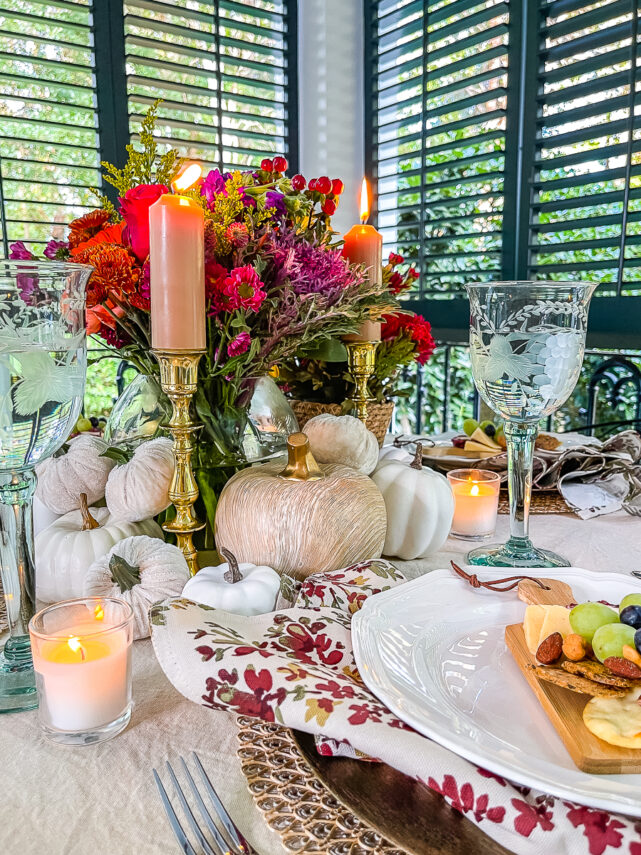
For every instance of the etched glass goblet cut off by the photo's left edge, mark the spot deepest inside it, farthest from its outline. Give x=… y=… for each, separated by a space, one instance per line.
x=43 y=363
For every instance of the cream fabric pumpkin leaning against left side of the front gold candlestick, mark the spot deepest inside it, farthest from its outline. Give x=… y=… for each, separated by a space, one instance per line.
x=139 y=489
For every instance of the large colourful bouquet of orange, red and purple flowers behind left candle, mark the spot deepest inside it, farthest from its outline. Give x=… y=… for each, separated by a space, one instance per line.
x=276 y=282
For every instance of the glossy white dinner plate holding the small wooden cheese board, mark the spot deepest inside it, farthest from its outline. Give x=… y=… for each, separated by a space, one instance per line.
x=433 y=651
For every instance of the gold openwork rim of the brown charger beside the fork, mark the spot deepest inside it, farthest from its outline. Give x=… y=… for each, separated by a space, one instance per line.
x=296 y=804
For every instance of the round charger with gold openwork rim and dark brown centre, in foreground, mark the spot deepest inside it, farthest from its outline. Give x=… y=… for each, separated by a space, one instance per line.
x=338 y=806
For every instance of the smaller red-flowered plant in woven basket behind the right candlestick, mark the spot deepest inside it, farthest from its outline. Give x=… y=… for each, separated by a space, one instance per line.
x=406 y=338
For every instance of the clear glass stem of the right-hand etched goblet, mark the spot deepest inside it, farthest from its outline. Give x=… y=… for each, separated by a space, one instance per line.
x=519 y=437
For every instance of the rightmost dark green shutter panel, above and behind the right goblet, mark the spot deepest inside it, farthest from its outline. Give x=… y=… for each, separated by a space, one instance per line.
x=586 y=210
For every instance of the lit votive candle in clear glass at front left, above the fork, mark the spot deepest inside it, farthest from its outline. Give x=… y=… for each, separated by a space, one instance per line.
x=82 y=658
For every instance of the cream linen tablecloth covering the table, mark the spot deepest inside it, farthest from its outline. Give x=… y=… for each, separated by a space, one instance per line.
x=102 y=800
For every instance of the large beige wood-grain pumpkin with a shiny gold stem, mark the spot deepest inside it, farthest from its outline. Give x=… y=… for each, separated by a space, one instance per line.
x=301 y=519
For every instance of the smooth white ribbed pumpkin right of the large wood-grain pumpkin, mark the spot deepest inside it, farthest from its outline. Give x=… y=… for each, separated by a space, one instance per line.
x=420 y=507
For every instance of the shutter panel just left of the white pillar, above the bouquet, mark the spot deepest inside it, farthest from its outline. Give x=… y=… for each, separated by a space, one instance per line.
x=220 y=68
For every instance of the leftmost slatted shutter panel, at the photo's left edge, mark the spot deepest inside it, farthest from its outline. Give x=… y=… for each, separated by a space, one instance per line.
x=48 y=121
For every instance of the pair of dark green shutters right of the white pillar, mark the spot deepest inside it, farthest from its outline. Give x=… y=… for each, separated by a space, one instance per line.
x=506 y=143
